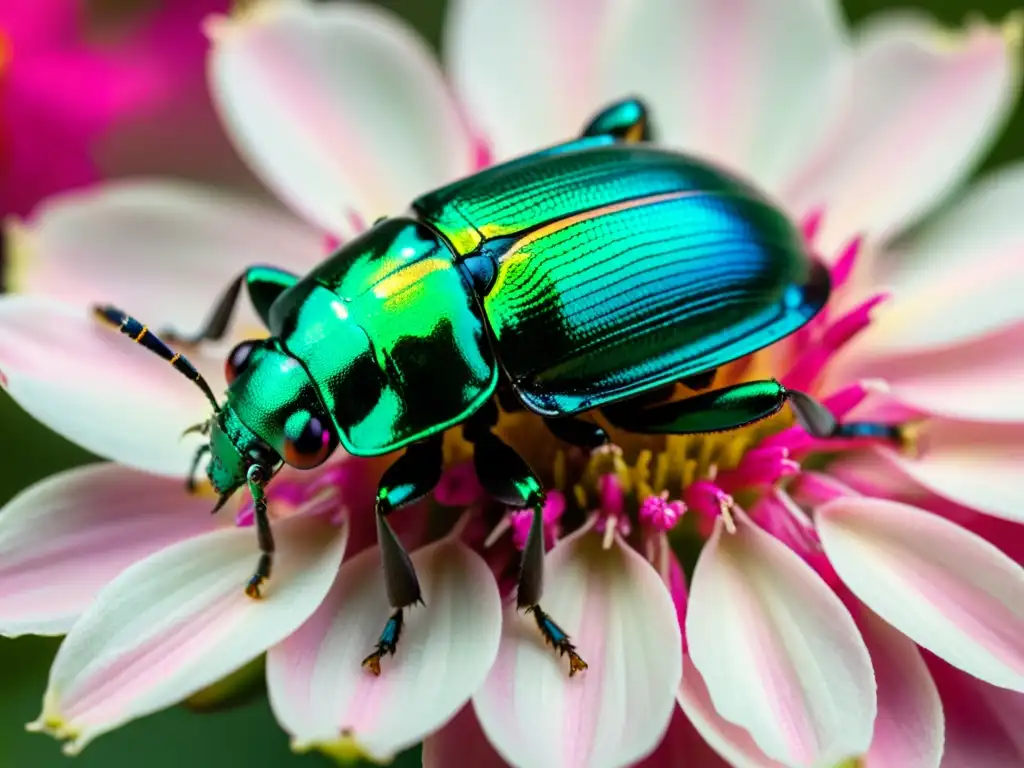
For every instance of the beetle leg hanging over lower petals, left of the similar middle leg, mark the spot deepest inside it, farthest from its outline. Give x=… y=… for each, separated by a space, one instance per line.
x=413 y=477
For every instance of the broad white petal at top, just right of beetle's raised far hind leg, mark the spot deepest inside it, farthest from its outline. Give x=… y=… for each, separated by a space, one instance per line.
x=750 y=83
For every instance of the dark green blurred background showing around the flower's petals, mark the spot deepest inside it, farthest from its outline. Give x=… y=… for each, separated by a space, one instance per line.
x=248 y=736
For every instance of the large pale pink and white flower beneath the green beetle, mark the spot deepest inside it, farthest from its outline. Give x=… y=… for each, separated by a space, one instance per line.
x=860 y=607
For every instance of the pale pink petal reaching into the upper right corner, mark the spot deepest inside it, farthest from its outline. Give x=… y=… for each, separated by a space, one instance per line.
x=924 y=109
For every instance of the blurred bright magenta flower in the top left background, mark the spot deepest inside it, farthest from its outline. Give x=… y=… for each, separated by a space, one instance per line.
x=92 y=90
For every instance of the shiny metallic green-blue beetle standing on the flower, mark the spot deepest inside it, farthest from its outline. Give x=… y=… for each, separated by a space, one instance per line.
x=574 y=279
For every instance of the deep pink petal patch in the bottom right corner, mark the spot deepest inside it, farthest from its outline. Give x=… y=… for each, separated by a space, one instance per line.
x=984 y=723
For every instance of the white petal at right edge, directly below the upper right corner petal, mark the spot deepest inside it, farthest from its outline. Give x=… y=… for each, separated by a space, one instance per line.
x=958 y=279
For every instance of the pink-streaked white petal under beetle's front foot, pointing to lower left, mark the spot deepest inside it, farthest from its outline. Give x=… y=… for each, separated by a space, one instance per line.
x=180 y=621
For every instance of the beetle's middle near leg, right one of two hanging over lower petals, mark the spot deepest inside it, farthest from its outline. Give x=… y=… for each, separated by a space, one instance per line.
x=506 y=477
